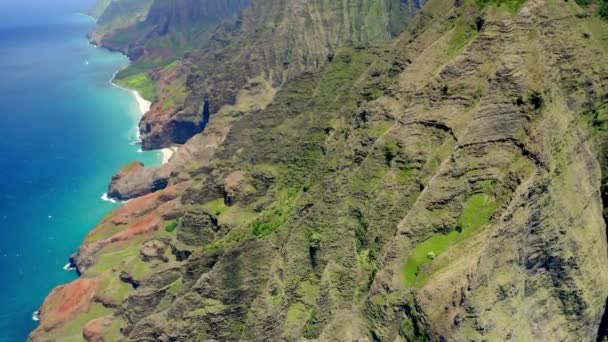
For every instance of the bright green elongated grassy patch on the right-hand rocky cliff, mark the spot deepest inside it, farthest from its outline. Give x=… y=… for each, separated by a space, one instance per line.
x=477 y=212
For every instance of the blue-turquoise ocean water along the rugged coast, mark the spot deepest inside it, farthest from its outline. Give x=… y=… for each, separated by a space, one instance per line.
x=64 y=130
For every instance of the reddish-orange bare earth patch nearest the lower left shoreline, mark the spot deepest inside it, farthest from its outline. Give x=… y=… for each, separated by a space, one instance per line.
x=67 y=301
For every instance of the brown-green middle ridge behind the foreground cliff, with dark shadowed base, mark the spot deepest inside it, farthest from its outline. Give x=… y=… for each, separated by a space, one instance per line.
x=271 y=42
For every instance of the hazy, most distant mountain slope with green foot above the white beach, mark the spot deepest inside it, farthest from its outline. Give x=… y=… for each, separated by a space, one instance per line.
x=156 y=33
